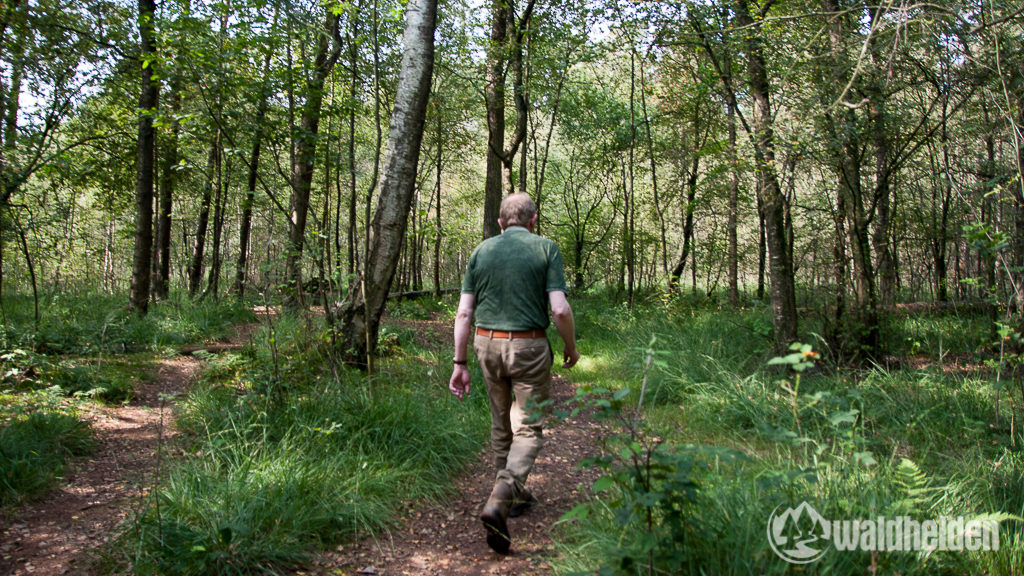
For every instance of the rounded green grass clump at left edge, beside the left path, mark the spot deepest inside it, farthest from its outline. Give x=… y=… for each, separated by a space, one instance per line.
x=38 y=433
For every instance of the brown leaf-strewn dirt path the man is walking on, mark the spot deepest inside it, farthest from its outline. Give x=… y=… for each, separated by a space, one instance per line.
x=448 y=539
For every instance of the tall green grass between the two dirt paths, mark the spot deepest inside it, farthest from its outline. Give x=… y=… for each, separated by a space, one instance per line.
x=288 y=456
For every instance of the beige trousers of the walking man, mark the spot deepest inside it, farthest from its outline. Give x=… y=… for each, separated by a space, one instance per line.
x=518 y=374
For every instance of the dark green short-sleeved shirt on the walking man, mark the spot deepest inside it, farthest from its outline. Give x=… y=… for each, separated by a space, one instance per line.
x=511 y=275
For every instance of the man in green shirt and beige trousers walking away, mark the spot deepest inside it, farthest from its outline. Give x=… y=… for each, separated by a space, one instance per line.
x=510 y=282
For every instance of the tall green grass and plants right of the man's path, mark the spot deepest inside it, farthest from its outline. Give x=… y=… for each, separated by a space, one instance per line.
x=726 y=442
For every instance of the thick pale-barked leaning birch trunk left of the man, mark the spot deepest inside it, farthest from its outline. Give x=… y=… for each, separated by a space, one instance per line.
x=365 y=304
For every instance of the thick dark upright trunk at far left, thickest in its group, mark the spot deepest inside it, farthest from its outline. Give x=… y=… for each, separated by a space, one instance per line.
x=150 y=93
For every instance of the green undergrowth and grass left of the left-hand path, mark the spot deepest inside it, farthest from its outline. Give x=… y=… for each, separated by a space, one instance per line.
x=86 y=347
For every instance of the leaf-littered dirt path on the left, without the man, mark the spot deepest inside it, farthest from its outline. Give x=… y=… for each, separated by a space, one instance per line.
x=57 y=534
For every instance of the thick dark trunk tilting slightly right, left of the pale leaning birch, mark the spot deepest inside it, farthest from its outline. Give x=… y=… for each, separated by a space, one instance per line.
x=328 y=51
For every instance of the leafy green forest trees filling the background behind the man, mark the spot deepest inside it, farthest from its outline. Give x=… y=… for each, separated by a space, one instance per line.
x=840 y=156
